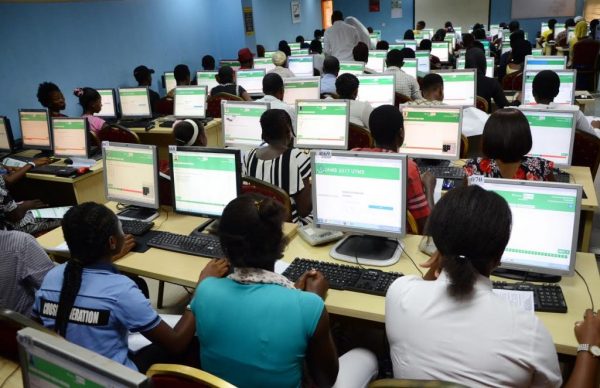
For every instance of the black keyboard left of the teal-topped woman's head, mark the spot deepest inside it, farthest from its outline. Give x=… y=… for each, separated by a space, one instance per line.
x=205 y=245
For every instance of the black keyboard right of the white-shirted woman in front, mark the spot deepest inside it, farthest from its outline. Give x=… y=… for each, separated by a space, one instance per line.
x=546 y=297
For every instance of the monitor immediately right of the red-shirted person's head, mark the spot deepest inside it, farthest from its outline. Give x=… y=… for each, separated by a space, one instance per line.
x=432 y=132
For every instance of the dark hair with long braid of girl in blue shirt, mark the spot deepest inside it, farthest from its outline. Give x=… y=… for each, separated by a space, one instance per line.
x=86 y=229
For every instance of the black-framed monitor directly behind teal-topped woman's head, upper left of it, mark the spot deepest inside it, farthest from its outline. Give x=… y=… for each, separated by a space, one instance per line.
x=192 y=168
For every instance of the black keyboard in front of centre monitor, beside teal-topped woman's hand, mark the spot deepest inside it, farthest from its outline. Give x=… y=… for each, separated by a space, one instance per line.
x=345 y=277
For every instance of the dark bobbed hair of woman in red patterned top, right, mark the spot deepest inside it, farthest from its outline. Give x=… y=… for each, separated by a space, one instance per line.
x=506 y=136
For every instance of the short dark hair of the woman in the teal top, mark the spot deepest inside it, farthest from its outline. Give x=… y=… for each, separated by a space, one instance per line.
x=251 y=231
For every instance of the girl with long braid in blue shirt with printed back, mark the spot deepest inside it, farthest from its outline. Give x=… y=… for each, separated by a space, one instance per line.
x=108 y=304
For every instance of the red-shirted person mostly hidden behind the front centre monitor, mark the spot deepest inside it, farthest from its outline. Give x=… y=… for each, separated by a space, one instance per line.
x=387 y=128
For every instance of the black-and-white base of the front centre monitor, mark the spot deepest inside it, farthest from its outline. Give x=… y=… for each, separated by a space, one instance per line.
x=367 y=250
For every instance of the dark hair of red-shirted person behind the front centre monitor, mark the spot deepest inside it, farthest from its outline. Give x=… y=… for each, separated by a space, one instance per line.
x=386 y=124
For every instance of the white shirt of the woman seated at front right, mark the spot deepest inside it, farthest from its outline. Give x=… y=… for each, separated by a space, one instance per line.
x=480 y=341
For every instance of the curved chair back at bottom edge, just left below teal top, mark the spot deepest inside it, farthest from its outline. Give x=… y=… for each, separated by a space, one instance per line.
x=181 y=376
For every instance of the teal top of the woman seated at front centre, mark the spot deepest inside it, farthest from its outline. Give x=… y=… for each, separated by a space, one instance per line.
x=254 y=335
